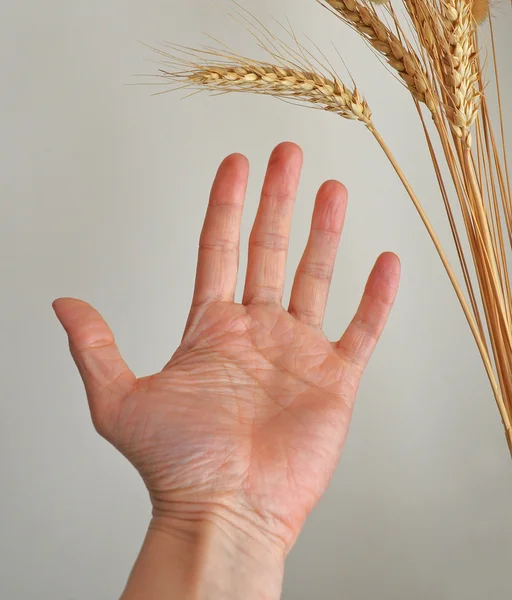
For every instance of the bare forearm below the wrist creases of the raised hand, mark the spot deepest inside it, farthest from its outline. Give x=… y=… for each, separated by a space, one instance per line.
x=213 y=560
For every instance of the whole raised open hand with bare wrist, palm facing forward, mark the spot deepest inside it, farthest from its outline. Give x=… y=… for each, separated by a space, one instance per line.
x=238 y=436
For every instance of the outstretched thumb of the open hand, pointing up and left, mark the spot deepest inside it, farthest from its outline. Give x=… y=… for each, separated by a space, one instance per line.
x=106 y=377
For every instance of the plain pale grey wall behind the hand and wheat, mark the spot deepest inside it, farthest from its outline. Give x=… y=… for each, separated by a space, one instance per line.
x=103 y=189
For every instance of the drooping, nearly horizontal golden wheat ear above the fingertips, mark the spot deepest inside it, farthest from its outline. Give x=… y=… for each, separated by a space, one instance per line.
x=283 y=82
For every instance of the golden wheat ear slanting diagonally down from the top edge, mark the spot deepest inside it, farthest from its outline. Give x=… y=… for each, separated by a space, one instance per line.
x=362 y=17
